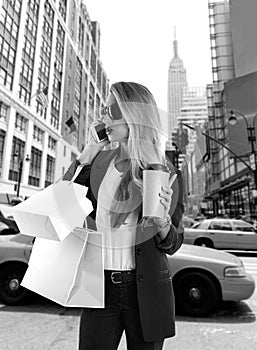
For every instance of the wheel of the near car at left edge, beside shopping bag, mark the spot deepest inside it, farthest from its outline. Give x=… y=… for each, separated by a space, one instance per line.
x=11 y=292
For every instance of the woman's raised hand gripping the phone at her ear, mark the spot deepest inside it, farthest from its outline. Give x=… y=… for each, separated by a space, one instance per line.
x=92 y=147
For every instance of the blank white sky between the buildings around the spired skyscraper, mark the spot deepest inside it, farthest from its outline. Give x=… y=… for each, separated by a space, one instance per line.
x=137 y=41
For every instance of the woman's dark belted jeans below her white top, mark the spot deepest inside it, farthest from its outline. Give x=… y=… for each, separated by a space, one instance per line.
x=101 y=329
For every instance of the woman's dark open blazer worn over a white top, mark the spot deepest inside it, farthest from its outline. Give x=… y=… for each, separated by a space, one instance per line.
x=154 y=283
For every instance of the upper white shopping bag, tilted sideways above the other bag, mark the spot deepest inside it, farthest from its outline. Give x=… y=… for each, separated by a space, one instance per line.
x=54 y=212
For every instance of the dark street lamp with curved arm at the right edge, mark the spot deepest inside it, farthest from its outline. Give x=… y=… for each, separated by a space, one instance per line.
x=251 y=136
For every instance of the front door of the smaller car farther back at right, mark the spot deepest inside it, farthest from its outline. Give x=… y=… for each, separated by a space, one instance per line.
x=222 y=234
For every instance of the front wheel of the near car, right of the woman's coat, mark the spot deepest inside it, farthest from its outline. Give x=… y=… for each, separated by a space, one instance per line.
x=195 y=294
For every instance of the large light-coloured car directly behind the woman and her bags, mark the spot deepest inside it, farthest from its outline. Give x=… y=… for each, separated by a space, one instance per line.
x=201 y=277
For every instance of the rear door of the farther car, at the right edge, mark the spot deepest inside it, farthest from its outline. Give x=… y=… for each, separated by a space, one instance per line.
x=246 y=235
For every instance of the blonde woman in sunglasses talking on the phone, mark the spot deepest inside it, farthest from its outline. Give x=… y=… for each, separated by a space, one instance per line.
x=138 y=288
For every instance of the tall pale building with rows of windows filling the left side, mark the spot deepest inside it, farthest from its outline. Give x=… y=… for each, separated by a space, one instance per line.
x=50 y=71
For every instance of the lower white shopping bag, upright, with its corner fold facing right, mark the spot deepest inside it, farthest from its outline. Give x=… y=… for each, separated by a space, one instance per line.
x=69 y=272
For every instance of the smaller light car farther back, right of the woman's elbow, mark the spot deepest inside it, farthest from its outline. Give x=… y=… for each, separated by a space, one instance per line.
x=220 y=233
